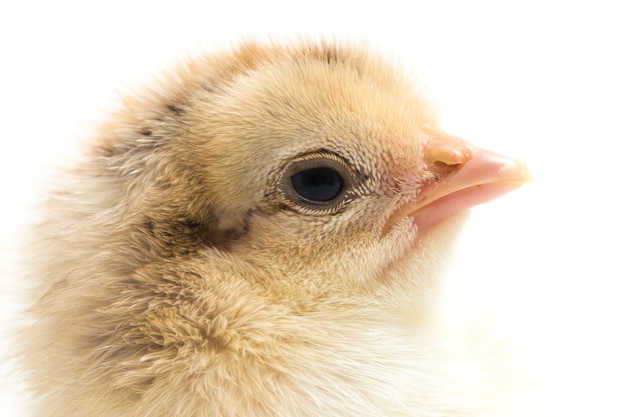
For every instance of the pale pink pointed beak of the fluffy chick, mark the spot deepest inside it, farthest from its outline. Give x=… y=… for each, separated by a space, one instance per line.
x=464 y=176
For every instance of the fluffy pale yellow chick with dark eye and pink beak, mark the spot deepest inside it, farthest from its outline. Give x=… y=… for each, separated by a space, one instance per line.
x=260 y=234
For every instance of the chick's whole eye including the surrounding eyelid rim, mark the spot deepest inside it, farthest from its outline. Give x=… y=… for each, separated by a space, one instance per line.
x=319 y=182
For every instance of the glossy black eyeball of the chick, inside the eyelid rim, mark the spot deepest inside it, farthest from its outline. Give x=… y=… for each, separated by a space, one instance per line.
x=317 y=184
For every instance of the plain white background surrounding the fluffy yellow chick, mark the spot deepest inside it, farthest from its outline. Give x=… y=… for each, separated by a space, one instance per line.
x=543 y=81
